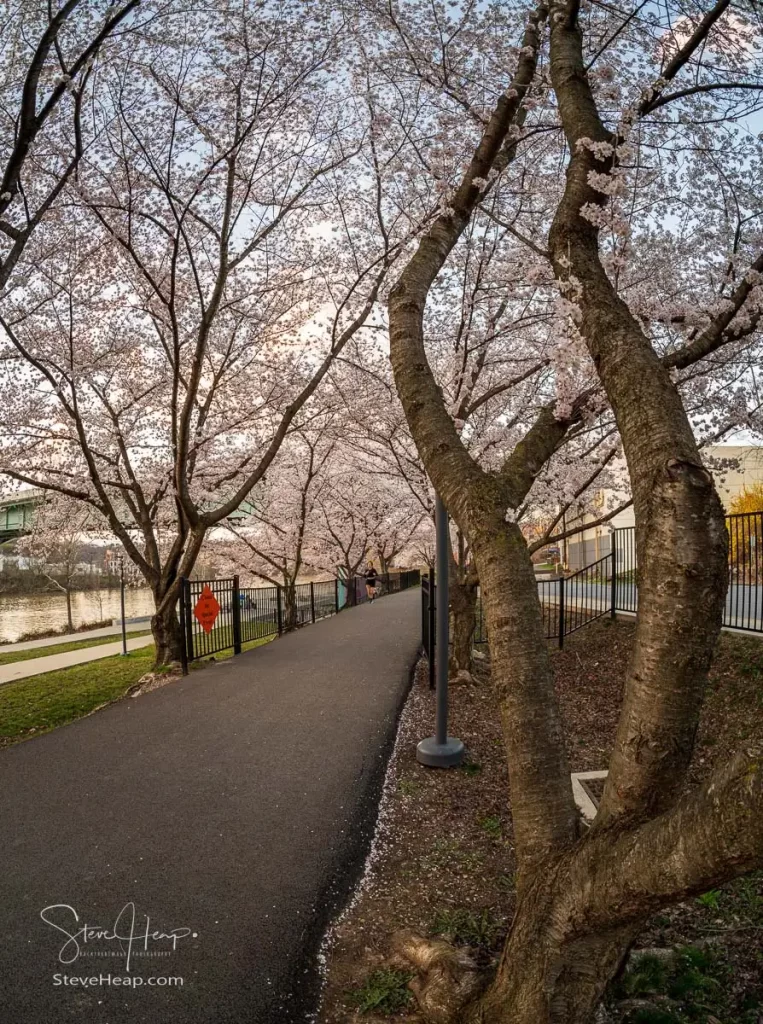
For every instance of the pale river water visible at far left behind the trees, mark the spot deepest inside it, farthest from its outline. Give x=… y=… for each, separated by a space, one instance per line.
x=22 y=614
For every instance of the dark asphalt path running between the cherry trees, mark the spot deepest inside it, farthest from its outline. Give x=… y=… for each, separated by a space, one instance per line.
x=236 y=804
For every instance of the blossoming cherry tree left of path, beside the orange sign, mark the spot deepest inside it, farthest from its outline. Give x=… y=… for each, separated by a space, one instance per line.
x=203 y=274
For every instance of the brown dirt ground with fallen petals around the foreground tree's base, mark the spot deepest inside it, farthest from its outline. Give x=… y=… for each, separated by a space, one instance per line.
x=443 y=862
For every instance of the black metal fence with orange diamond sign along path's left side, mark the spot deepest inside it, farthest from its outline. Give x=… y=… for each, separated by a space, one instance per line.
x=220 y=615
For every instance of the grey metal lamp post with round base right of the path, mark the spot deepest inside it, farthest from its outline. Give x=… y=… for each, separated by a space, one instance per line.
x=441 y=751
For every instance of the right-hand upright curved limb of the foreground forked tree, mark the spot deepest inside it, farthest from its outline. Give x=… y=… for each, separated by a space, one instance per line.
x=681 y=527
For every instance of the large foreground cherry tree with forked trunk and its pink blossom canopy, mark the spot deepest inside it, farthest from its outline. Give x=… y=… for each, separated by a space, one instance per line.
x=647 y=254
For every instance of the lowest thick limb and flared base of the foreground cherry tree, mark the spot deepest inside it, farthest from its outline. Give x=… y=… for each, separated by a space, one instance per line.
x=583 y=907
